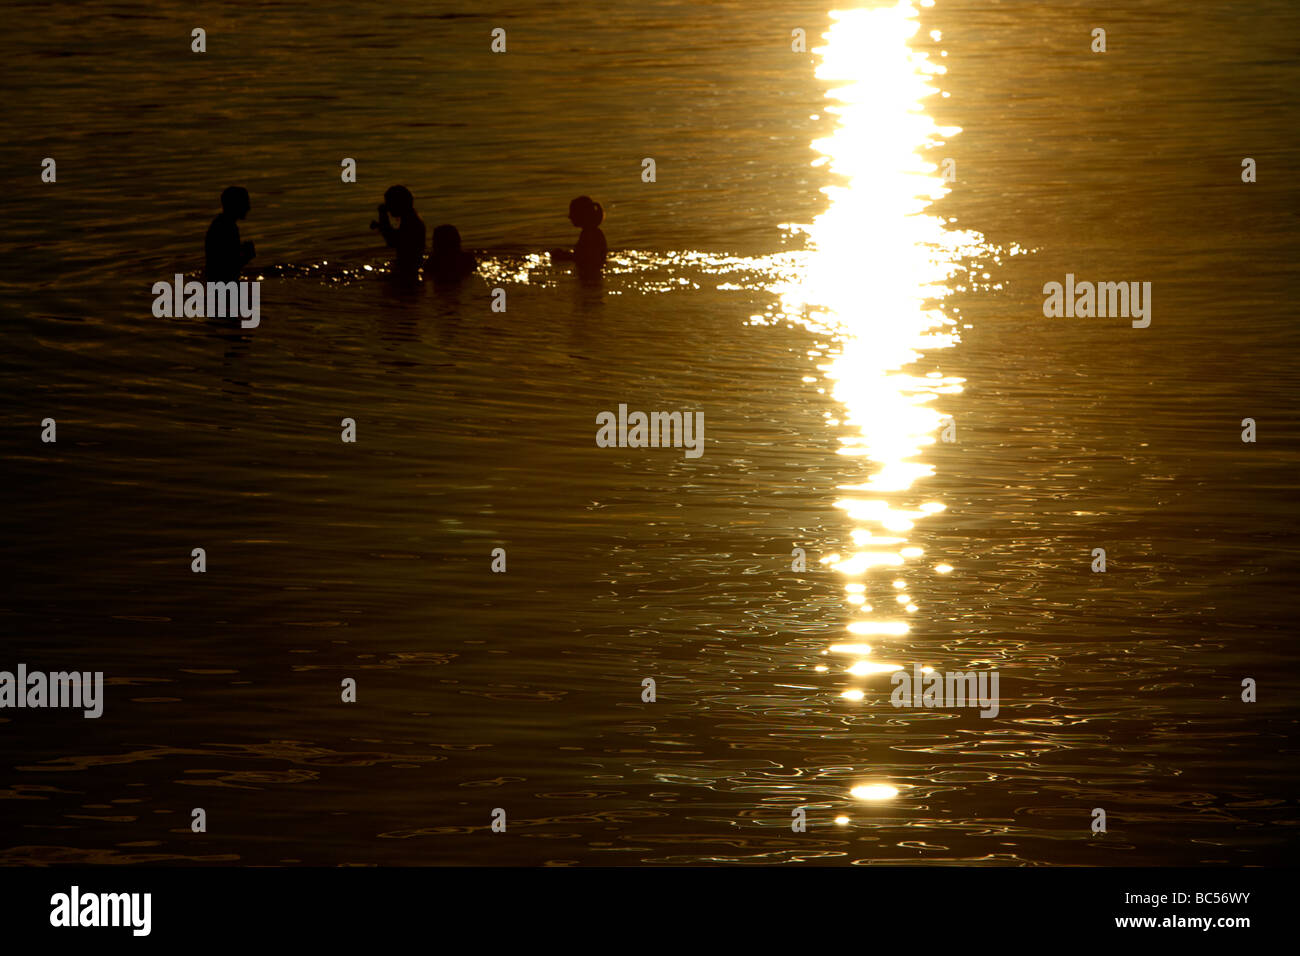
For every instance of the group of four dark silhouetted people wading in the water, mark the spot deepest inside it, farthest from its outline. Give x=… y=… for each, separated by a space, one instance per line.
x=447 y=265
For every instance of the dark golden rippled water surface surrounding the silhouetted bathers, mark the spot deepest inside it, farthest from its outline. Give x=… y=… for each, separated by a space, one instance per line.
x=801 y=275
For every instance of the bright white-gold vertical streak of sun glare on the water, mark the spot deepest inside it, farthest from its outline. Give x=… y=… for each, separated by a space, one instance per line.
x=877 y=272
